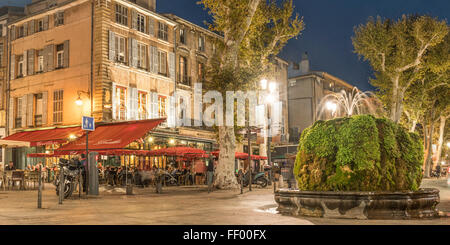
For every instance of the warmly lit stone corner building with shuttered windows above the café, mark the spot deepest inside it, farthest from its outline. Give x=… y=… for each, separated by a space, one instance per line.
x=115 y=60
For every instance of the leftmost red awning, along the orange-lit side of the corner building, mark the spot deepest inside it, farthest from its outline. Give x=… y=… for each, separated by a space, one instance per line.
x=46 y=137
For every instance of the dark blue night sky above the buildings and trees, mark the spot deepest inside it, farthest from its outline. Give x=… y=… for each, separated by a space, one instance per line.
x=329 y=27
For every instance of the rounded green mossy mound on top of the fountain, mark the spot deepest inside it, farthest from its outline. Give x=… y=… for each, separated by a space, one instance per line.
x=360 y=153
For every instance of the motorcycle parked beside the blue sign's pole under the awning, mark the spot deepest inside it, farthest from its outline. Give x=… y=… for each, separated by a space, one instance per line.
x=72 y=169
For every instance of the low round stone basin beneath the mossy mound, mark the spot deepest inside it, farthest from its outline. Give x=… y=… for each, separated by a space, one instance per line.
x=419 y=204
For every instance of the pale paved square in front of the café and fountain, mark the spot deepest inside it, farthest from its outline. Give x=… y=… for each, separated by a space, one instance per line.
x=175 y=206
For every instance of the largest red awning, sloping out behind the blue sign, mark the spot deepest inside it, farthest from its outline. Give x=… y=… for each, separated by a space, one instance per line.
x=112 y=136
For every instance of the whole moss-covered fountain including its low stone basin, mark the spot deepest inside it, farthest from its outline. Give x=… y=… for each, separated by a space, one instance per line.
x=359 y=167
